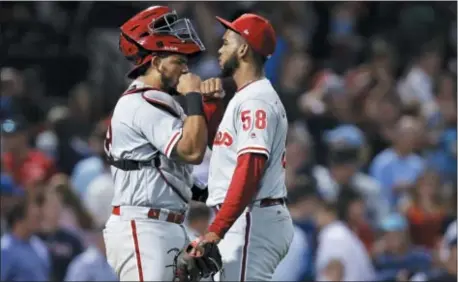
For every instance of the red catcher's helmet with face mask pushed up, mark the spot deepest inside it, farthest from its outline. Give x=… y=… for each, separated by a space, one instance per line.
x=157 y=29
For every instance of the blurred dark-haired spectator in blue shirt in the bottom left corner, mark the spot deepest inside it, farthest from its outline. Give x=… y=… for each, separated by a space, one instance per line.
x=24 y=257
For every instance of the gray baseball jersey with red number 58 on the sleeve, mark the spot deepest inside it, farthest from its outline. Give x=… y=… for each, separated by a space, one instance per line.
x=254 y=122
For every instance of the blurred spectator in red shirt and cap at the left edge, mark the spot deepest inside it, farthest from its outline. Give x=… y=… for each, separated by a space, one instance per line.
x=27 y=166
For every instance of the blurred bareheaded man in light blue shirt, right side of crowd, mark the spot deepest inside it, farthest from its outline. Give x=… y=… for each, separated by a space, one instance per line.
x=397 y=168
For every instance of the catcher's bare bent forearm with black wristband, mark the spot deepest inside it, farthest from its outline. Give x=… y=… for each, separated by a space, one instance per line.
x=193 y=143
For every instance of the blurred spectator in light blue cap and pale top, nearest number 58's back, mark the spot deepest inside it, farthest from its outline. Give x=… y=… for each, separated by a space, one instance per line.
x=346 y=144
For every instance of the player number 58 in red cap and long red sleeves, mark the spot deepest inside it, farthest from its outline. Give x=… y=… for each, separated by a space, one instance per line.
x=246 y=182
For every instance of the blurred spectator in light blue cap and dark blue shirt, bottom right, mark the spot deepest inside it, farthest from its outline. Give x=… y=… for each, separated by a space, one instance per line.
x=395 y=258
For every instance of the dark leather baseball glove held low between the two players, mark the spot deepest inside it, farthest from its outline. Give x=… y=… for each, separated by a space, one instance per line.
x=189 y=268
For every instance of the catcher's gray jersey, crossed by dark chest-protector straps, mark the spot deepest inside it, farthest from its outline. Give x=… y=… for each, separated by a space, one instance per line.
x=140 y=130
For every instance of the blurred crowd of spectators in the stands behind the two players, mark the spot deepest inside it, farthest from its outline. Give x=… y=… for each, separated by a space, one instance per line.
x=370 y=92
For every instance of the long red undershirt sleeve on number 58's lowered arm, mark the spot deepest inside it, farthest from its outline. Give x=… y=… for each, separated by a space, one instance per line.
x=242 y=190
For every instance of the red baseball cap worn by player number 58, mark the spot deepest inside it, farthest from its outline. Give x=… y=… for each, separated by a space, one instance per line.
x=256 y=30
